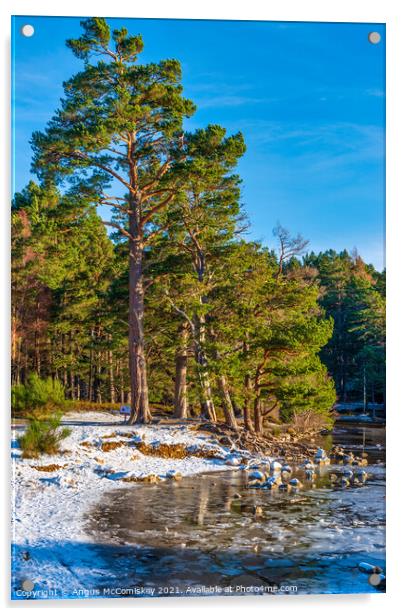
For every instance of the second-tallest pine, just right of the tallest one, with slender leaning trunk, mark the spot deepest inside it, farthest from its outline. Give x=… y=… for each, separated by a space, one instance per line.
x=203 y=224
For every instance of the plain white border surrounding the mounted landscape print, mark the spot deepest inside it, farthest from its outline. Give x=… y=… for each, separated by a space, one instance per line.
x=288 y=10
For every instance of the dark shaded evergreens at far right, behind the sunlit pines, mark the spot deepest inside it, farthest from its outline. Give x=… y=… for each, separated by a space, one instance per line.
x=353 y=294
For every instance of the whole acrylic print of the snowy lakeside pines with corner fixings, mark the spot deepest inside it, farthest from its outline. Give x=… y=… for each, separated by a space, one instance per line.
x=198 y=308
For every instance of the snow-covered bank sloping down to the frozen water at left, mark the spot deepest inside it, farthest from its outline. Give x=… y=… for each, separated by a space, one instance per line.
x=50 y=505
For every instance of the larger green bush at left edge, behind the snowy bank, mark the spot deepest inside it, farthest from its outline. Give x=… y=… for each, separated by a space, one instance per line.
x=37 y=393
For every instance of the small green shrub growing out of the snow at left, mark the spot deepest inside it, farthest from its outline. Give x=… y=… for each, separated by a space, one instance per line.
x=43 y=436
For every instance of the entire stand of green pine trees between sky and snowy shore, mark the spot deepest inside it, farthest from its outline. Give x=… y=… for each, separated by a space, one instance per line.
x=166 y=303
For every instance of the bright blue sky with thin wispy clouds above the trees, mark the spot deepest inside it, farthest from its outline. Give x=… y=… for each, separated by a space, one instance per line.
x=308 y=97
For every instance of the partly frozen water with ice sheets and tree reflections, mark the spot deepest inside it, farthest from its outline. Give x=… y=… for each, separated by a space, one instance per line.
x=199 y=532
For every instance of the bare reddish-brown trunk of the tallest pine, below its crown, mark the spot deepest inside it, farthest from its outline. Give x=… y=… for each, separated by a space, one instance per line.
x=138 y=370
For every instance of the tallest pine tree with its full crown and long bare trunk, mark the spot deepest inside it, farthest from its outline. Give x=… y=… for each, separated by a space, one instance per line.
x=120 y=125
